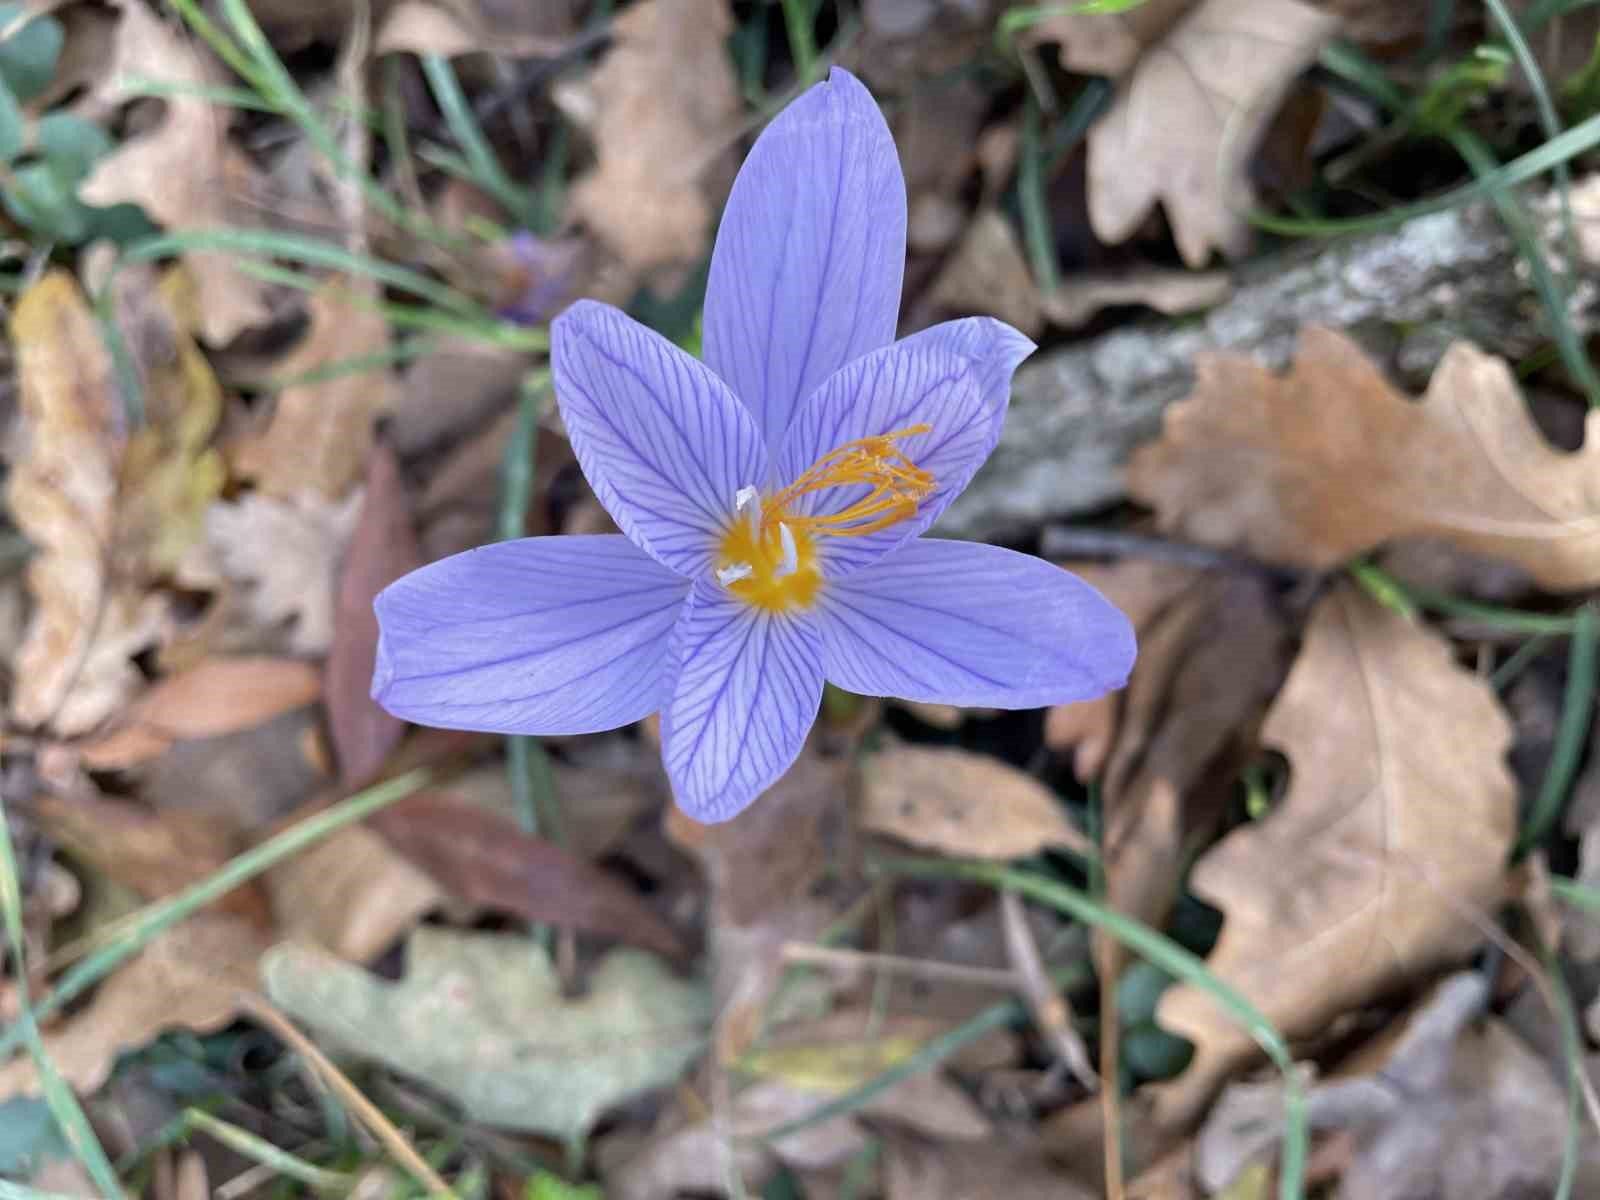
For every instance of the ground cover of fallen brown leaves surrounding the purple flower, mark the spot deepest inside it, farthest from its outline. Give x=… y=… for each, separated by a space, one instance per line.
x=1308 y=782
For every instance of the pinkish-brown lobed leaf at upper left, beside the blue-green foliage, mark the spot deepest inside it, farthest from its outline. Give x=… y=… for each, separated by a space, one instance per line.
x=183 y=172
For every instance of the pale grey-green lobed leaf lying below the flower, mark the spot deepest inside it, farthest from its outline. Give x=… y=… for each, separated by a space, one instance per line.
x=460 y=1020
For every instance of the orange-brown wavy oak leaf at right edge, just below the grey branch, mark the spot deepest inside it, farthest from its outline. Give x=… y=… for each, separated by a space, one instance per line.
x=1327 y=462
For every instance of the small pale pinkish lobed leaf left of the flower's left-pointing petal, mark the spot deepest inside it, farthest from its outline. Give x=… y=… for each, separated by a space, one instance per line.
x=289 y=554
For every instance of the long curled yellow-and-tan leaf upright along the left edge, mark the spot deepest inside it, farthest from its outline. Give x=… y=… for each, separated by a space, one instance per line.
x=108 y=511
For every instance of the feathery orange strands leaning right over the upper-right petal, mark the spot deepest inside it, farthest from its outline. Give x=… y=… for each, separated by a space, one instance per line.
x=898 y=487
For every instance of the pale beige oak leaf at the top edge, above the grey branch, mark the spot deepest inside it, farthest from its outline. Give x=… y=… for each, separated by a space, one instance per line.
x=1188 y=119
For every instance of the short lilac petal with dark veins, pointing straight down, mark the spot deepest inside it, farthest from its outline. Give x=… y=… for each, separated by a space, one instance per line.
x=746 y=694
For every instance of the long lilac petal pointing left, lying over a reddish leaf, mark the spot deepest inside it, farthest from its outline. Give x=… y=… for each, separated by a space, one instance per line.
x=534 y=636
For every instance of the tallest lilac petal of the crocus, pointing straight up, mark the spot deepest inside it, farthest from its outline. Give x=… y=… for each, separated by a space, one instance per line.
x=809 y=260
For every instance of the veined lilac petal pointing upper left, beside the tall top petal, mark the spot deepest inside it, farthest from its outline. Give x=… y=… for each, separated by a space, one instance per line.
x=663 y=442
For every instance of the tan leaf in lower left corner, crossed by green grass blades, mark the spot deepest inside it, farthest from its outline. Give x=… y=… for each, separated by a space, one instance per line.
x=186 y=978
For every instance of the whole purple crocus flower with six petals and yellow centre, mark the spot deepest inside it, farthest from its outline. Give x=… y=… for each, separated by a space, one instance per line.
x=770 y=503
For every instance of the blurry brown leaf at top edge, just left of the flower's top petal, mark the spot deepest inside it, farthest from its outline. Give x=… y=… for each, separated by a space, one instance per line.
x=665 y=89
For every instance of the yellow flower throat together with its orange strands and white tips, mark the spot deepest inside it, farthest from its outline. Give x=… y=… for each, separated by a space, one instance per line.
x=769 y=556
